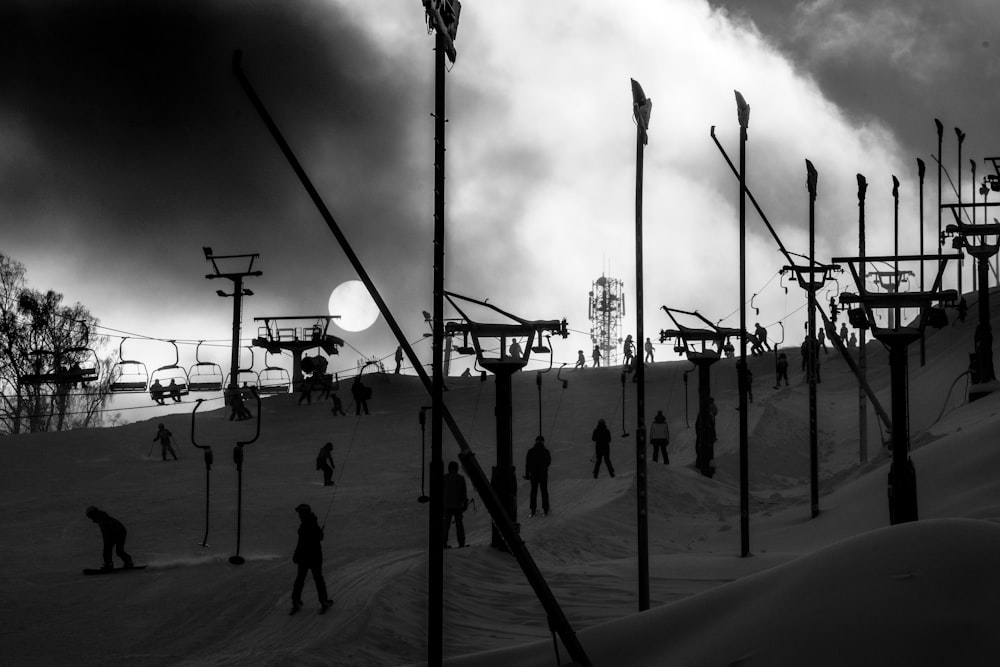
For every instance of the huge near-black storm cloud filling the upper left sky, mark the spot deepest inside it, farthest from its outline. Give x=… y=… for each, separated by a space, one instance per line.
x=134 y=141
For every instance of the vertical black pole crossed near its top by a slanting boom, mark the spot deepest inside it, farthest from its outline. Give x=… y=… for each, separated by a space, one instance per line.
x=743 y=115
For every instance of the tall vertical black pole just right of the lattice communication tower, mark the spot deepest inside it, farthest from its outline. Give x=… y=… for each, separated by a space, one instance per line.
x=641 y=108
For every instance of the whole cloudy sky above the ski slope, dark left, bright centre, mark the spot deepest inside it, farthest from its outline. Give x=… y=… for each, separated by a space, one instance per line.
x=129 y=145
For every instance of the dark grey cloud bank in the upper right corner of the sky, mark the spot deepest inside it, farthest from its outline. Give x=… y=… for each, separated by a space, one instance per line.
x=900 y=63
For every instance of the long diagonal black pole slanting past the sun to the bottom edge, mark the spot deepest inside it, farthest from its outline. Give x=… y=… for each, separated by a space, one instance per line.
x=468 y=458
